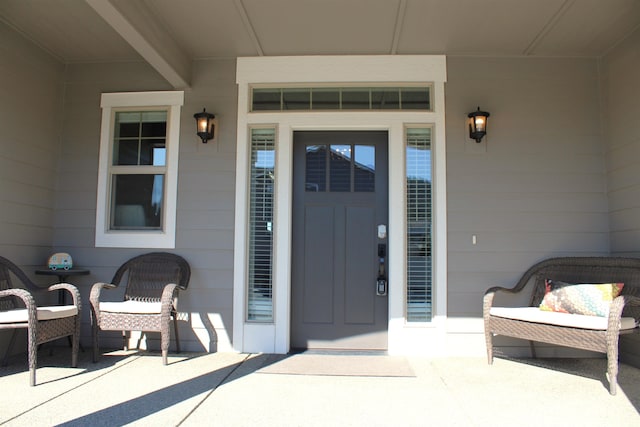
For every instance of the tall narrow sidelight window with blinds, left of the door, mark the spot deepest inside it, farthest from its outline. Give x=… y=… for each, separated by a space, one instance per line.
x=260 y=291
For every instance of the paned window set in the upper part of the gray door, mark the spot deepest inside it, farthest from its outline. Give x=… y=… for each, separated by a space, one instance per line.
x=340 y=168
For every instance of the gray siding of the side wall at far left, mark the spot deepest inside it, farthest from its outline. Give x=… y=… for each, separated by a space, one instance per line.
x=30 y=117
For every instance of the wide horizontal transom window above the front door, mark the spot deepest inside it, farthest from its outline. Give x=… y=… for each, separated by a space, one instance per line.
x=341 y=98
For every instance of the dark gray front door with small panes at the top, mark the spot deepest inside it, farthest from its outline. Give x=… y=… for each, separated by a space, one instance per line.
x=339 y=251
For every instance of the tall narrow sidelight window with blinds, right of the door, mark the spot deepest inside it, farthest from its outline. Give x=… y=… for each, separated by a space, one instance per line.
x=419 y=220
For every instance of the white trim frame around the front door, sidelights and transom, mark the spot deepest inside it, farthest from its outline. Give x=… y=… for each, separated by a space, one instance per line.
x=274 y=337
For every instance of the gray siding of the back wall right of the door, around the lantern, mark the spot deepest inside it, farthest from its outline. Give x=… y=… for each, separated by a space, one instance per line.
x=536 y=186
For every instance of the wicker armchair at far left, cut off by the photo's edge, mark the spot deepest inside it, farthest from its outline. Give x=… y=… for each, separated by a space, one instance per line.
x=18 y=310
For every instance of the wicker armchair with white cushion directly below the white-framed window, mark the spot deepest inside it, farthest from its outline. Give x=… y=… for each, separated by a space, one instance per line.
x=153 y=281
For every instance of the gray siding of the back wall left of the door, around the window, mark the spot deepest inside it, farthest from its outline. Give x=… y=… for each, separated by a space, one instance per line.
x=206 y=186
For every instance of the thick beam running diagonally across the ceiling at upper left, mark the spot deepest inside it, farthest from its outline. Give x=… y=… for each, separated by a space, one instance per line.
x=148 y=39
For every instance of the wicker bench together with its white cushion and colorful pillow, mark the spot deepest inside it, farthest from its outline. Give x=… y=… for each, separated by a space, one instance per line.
x=580 y=302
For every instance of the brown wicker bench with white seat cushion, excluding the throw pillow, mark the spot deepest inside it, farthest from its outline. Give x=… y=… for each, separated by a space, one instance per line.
x=585 y=337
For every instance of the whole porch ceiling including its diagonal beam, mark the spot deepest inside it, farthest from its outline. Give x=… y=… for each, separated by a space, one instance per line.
x=169 y=34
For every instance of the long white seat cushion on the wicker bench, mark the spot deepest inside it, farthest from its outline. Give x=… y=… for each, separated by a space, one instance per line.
x=534 y=314
